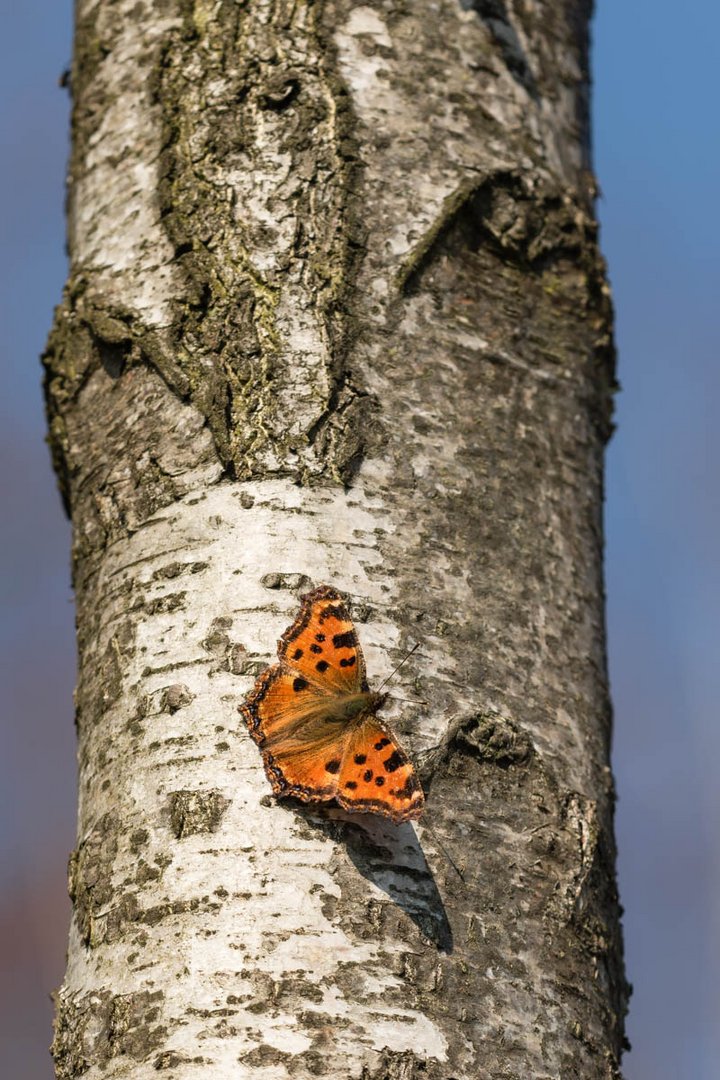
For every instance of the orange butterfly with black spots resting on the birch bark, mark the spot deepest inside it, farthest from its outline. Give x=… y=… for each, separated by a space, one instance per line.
x=316 y=721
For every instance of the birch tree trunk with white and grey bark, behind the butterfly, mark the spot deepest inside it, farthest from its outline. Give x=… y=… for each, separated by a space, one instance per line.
x=336 y=315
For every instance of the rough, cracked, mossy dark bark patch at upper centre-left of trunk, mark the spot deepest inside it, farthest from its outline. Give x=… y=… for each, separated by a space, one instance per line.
x=246 y=415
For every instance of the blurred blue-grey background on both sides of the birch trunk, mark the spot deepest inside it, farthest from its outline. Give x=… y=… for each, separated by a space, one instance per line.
x=658 y=159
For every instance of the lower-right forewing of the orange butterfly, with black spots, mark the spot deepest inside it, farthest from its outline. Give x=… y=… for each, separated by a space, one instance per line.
x=377 y=776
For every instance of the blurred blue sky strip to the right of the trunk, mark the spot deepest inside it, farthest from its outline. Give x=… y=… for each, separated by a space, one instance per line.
x=658 y=157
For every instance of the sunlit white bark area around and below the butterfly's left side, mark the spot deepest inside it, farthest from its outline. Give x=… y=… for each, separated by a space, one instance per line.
x=262 y=881
